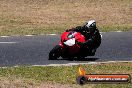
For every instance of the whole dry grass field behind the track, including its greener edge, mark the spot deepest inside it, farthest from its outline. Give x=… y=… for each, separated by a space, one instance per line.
x=21 y=17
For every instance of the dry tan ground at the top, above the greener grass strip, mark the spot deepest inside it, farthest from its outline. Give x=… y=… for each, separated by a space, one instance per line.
x=67 y=13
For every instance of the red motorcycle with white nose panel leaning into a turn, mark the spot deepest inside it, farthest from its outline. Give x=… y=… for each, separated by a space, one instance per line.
x=68 y=47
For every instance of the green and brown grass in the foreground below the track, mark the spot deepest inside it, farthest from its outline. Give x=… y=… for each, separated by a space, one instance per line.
x=66 y=75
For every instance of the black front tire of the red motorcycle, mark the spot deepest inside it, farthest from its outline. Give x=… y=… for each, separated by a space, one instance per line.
x=55 y=53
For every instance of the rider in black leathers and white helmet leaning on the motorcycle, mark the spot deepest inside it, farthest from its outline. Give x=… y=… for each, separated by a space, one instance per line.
x=92 y=35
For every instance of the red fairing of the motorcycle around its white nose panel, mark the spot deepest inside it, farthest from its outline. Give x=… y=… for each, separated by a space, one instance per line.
x=71 y=50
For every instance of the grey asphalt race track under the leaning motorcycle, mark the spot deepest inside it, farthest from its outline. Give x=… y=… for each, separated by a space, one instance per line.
x=33 y=50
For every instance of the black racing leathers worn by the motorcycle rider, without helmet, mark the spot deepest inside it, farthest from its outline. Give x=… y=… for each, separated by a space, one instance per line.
x=93 y=37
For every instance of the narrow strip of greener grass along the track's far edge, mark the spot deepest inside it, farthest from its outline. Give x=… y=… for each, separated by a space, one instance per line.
x=55 y=30
